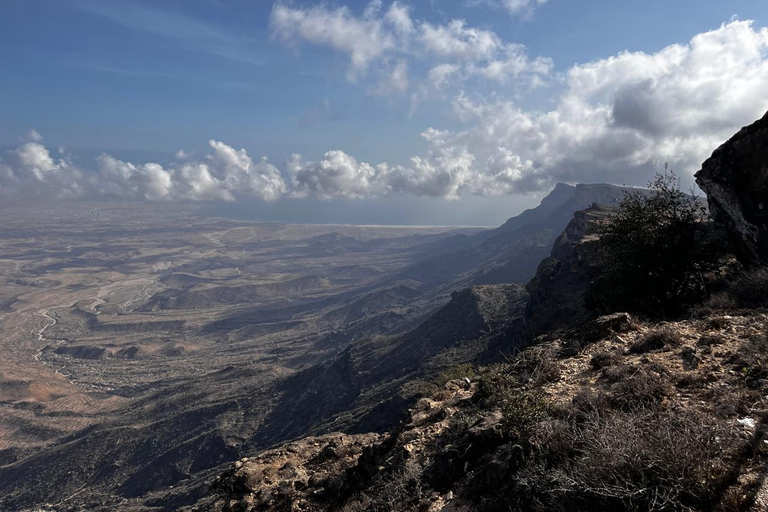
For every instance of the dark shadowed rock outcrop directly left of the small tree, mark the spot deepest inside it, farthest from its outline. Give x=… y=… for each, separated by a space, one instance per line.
x=557 y=292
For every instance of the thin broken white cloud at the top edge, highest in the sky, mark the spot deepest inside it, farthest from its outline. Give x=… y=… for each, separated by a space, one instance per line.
x=387 y=39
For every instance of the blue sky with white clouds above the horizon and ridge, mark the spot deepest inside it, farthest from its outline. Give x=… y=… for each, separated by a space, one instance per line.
x=438 y=112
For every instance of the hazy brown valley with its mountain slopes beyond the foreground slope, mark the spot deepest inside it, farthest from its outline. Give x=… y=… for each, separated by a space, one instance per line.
x=142 y=346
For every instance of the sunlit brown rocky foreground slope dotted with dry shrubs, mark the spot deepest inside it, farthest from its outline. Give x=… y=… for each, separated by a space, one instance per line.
x=622 y=425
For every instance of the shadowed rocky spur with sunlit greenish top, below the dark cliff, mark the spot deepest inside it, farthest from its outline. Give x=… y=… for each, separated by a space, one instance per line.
x=360 y=389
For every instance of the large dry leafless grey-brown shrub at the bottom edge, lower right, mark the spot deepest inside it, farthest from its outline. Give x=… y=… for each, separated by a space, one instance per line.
x=647 y=460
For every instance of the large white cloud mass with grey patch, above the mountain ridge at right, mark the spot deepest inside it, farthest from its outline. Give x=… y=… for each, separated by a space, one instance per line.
x=618 y=120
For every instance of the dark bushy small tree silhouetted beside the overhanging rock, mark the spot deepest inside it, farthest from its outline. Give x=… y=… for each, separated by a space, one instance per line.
x=654 y=250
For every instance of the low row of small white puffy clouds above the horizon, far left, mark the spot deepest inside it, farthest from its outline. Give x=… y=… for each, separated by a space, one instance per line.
x=29 y=171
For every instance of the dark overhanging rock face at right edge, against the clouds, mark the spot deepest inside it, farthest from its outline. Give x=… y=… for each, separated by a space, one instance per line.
x=735 y=179
